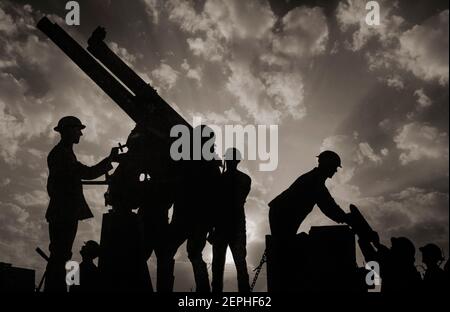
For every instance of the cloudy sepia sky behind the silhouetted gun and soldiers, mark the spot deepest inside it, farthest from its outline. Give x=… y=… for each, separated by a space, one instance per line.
x=377 y=95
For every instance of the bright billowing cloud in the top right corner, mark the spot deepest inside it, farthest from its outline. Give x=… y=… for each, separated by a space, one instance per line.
x=421 y=49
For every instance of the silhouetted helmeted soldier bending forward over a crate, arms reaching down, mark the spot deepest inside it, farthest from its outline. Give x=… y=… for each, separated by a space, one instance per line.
x=290 y=208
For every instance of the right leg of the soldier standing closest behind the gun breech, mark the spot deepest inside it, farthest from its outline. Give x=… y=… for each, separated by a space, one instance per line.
x=195 y=244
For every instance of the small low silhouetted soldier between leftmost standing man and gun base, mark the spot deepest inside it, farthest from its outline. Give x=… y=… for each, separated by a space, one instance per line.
x=89 y=273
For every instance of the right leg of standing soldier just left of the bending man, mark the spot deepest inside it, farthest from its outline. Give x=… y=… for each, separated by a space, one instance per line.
x=238 y=246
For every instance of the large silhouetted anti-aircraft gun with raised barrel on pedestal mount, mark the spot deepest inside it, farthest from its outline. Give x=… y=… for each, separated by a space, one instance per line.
x=148 y=152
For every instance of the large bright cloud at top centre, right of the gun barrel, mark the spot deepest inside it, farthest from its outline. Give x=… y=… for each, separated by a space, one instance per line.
x=270 y=87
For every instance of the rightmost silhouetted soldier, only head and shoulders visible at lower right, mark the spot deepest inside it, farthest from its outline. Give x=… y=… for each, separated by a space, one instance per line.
x=435 y=279
